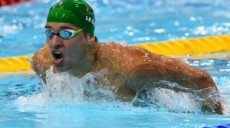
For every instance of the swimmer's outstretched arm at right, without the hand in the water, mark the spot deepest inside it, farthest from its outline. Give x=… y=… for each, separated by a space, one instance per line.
x=176 y=72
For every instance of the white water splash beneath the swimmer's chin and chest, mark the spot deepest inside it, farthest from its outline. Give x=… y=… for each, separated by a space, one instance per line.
x=63 y=88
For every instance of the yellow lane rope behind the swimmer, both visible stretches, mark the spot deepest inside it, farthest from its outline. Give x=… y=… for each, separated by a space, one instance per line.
x=180 y=47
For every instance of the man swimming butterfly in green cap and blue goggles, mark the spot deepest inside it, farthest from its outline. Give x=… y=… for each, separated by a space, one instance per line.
x=72 y=47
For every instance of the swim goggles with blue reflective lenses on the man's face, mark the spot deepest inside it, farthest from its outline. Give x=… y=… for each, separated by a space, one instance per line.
x=64 y=33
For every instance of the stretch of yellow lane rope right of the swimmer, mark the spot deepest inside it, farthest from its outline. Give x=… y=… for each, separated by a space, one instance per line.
x=201 y=45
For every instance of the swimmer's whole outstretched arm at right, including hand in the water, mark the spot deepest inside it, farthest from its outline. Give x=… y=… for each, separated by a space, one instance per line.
x=189 y=78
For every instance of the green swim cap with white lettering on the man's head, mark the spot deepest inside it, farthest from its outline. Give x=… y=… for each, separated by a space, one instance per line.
x=76 y=12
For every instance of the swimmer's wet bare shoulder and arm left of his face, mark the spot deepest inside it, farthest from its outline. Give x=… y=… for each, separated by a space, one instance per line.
x=41 y=61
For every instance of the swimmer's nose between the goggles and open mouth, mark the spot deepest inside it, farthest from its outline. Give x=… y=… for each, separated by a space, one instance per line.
x=56 y=42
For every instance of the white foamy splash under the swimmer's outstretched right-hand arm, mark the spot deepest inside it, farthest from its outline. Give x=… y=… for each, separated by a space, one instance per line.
x=174 y=98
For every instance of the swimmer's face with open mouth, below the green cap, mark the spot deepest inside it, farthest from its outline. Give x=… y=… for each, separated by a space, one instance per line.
x=67 y=54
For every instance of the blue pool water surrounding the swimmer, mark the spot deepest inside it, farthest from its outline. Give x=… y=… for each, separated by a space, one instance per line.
x=24 y=101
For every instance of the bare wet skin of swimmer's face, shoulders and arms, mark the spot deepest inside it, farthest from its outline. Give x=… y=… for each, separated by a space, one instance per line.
x=130 y=69
